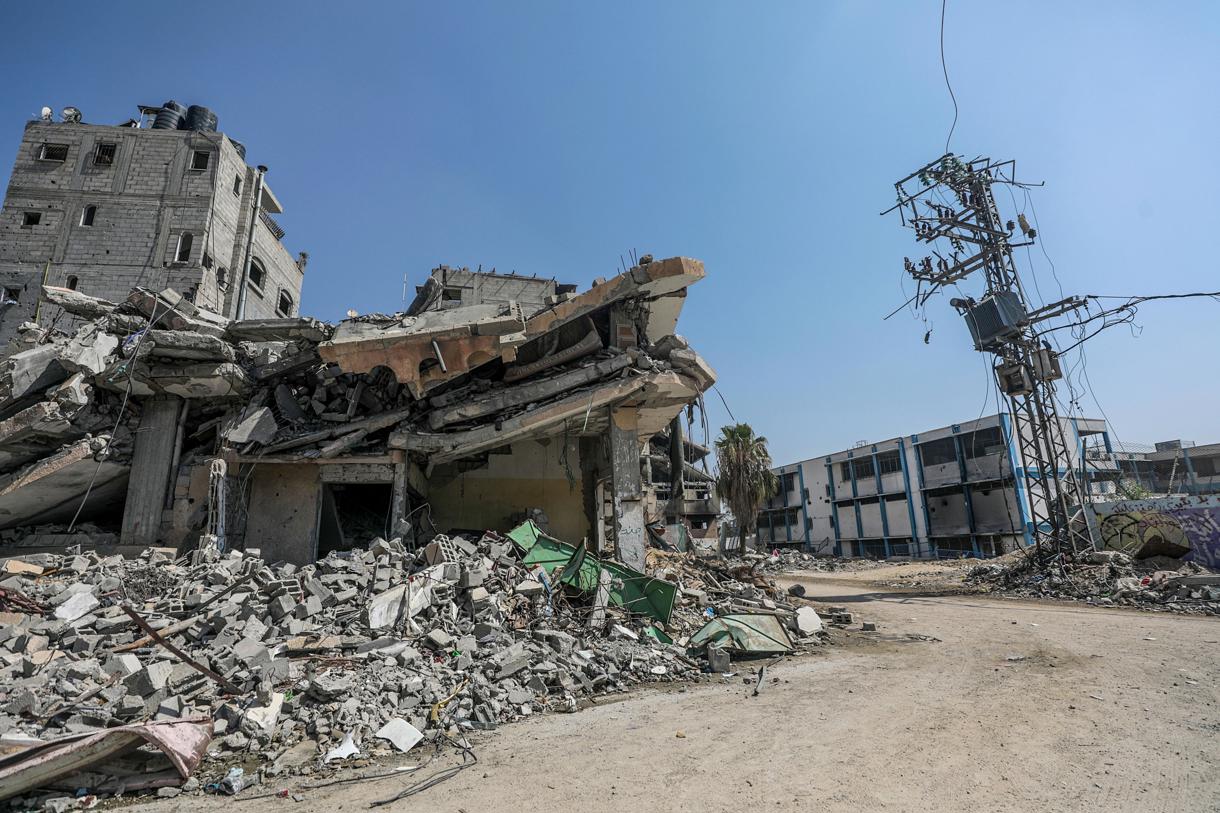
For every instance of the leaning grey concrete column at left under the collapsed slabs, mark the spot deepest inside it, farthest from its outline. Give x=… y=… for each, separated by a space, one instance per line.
x=151 y=479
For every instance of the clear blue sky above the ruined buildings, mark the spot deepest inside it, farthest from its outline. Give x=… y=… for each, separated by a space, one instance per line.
x=764 y=140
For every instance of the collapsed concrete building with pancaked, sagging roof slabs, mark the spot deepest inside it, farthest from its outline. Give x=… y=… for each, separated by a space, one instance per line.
x=492 y=400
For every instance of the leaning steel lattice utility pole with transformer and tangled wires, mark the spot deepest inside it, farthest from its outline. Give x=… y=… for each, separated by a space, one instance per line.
x=950 y=206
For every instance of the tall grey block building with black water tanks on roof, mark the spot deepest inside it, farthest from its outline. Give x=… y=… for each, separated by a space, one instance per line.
x=102 y=209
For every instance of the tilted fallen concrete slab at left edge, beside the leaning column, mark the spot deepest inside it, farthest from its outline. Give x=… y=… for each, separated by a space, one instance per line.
x=52 y=490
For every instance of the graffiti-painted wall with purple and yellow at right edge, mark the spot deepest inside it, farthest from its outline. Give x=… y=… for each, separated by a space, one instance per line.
x=1175 y=527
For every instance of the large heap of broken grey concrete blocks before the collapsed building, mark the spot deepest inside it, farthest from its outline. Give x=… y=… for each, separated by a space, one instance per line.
x=293 y=663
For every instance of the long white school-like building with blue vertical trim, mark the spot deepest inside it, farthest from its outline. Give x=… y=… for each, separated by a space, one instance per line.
x=949 y=493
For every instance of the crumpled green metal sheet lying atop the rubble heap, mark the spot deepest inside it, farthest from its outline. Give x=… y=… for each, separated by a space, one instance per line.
x=629 y=589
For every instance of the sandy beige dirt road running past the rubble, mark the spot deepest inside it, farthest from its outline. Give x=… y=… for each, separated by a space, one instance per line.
x=1016 y=706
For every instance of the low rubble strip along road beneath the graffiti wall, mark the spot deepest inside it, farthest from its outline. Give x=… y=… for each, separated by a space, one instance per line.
x=1106 y=578
